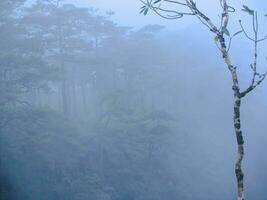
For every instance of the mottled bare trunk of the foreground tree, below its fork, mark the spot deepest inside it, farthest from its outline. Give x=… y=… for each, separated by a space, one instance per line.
x=240 y=153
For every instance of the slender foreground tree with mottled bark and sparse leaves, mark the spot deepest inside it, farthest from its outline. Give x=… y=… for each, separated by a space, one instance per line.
x=223 y=40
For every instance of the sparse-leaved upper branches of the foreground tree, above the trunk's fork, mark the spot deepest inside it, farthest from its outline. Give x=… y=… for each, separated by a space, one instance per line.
x=162 y=8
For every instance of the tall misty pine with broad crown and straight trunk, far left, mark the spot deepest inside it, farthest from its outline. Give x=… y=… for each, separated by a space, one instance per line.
x=63 y=29
